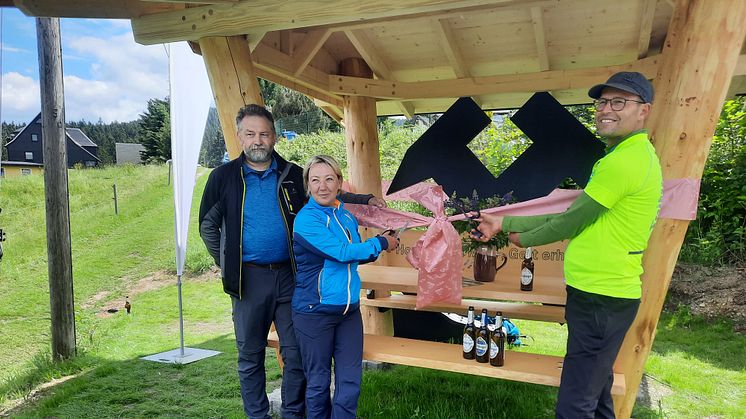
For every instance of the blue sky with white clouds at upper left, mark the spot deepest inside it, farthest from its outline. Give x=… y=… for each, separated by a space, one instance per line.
x=107 y=76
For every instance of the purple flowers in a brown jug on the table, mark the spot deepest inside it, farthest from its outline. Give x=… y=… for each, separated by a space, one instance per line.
x=486 y=254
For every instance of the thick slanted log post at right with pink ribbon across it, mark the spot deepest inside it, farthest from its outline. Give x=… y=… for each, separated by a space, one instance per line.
x=697 y=65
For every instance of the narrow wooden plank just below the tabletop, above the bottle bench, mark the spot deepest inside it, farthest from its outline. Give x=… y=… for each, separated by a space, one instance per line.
x=555 y=314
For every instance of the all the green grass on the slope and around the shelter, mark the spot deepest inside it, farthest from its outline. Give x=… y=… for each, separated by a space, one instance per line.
x=704 y=363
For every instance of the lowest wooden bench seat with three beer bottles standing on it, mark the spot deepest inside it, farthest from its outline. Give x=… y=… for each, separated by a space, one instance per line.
x=519 y=366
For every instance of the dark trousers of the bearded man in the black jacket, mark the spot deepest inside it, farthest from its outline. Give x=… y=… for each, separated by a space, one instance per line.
x=267 y=295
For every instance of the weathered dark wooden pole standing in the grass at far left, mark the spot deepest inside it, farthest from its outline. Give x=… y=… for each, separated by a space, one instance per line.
x=59 y=254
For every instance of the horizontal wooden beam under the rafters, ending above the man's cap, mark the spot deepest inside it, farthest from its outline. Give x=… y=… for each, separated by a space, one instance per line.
x=509 y=83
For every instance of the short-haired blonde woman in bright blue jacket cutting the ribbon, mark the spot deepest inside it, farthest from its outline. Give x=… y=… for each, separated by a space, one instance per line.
x=326 y=303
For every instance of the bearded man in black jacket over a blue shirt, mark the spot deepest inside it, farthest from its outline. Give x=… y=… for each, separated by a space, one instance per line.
x=246 y=220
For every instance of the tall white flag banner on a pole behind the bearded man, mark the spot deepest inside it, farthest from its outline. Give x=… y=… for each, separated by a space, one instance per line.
x=191 y=97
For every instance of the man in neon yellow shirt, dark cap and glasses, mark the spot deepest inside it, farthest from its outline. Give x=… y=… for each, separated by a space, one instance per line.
x=608 y=225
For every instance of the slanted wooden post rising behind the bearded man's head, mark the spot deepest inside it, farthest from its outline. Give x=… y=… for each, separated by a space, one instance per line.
x=234 y=83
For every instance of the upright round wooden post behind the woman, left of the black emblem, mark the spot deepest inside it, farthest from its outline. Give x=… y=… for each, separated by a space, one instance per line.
x=364 y=169
